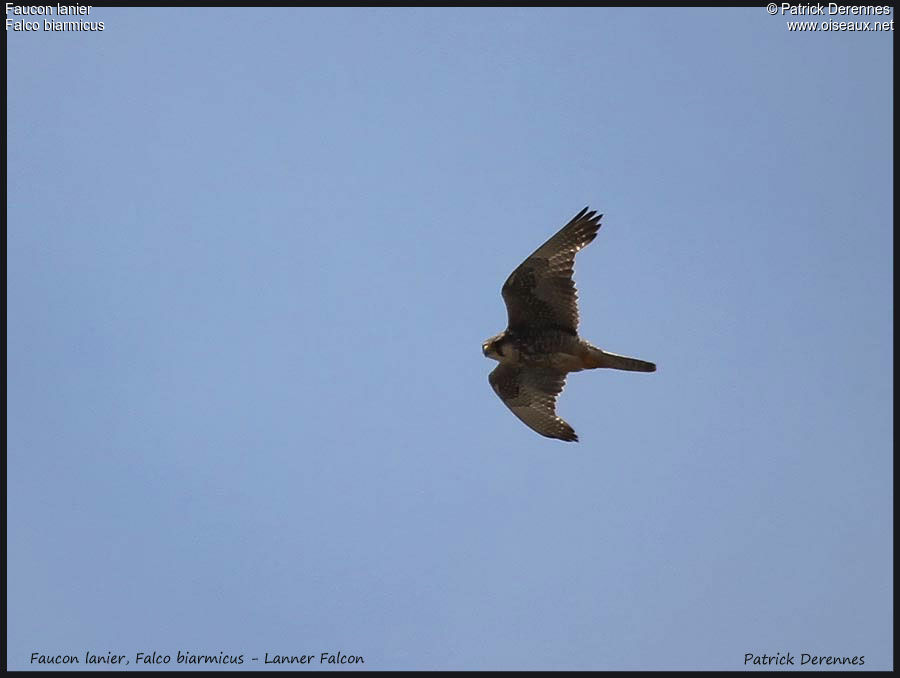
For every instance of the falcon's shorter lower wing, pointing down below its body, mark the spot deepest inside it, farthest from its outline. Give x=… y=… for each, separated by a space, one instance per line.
x=530 y=392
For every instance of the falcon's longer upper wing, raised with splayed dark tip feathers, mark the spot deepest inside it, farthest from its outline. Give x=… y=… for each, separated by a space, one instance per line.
x=540 y=293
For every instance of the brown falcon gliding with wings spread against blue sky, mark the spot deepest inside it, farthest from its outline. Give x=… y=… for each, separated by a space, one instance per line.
x=540 y=345
